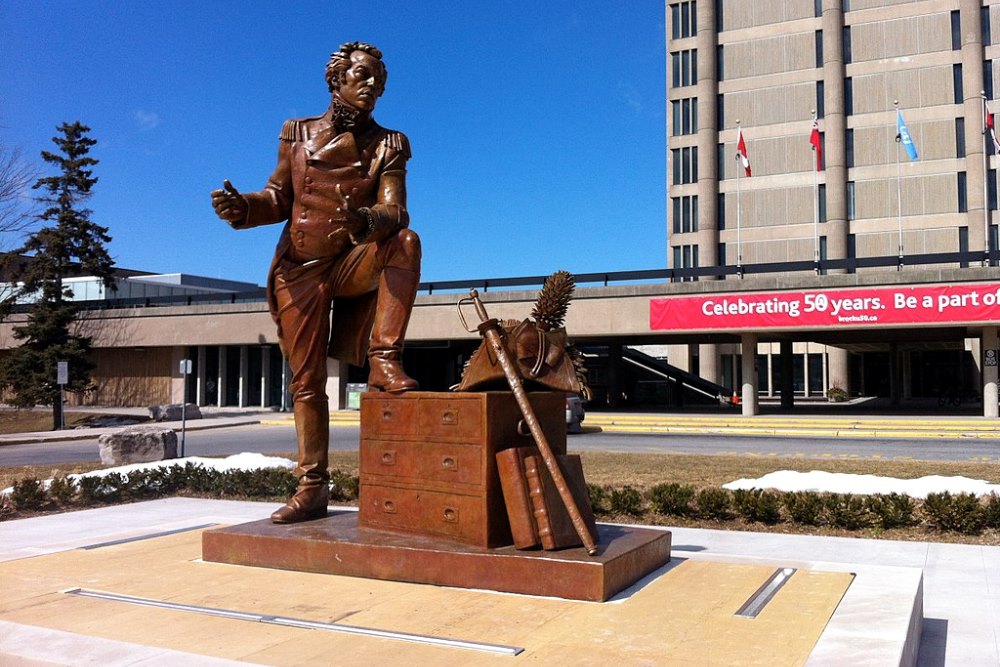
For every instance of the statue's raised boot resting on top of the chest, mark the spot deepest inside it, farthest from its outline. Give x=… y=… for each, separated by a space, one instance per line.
x=397 y=291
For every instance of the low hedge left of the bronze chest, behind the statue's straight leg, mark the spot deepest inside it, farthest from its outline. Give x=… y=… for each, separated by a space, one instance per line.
x=30 y=494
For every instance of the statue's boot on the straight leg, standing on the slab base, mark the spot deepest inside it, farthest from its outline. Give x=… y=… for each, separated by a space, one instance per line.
x=312 y=427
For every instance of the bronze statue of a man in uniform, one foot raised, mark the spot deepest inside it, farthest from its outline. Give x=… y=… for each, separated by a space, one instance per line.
x=341 y=185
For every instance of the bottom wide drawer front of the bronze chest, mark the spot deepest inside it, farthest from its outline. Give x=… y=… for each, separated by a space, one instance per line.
x=452 y=516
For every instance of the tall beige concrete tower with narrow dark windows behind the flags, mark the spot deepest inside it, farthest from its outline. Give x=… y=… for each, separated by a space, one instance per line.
x=766 y=68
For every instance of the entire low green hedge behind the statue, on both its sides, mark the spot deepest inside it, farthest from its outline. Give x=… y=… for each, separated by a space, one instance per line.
x=960 y=513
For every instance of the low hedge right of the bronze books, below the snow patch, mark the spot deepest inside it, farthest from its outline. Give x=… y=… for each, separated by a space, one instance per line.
x=962 y=512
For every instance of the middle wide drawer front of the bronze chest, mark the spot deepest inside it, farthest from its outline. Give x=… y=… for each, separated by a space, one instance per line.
x=438 y=462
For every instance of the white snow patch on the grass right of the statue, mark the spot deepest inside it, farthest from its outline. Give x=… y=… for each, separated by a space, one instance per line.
x=834 y=482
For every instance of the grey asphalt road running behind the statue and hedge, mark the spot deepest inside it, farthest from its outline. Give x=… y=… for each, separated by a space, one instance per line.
x=259 y=438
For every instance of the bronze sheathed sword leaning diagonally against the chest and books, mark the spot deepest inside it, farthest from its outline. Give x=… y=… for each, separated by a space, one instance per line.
x=490 y=329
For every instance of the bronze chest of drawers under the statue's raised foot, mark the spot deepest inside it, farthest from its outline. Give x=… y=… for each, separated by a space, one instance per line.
x=428 y=460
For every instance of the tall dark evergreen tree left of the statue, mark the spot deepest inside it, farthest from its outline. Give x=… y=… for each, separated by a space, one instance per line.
x=68 y=243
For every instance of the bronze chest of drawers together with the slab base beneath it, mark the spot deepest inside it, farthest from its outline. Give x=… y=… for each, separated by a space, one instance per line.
x=432 y=510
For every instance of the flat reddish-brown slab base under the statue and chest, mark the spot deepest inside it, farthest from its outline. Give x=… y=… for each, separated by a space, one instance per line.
x=337 y=545
